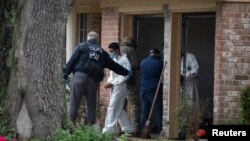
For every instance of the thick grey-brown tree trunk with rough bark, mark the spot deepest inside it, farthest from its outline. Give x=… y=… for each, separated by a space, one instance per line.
x=35 y=86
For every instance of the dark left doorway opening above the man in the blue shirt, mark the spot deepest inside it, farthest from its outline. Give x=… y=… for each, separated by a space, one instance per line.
x=148 y=33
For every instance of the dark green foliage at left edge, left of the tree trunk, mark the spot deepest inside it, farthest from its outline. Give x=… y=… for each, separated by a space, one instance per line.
x=7 y=39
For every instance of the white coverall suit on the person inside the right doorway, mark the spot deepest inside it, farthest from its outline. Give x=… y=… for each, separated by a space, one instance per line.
x=191 y=83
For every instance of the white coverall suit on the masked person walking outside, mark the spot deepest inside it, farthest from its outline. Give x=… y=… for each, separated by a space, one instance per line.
x=115 y=111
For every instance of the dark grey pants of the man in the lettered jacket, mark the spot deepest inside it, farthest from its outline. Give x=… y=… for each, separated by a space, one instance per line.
x=83 y=85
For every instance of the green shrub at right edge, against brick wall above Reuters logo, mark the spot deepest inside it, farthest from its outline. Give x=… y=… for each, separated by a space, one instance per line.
x=245 y=105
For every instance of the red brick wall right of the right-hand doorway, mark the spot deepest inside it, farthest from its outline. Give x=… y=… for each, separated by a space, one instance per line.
x=232 y=59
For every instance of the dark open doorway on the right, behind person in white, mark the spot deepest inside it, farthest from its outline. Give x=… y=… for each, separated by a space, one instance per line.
x=198 y=38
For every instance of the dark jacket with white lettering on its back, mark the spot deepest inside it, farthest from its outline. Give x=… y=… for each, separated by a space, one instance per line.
x=90 y=49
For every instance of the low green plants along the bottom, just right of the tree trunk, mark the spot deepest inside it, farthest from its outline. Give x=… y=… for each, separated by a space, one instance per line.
x=85 y=133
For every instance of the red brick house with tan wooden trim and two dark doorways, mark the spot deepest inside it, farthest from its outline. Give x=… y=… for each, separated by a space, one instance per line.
x=217 y=32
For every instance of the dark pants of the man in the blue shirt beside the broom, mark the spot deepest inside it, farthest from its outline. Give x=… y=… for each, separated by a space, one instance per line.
x=147 y=97
